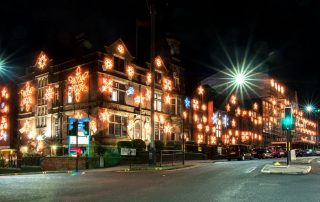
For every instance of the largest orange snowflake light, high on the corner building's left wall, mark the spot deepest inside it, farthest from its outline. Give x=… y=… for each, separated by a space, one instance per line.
x=78 y=82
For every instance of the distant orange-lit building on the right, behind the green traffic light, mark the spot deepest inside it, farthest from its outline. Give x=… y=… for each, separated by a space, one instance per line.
x=270 y=98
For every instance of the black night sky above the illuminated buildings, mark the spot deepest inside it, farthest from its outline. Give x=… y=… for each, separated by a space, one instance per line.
x=285 y=33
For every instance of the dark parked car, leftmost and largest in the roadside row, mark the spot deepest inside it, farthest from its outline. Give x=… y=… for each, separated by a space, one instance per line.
x=240 y=152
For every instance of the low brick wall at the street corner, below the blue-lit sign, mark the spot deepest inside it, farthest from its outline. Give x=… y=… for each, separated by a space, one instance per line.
x=62 y=163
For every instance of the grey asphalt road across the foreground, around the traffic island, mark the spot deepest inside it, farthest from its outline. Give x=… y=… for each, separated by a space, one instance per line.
x=219 y=181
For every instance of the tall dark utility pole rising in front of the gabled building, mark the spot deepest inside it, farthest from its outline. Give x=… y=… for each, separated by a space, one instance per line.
x=152 y=152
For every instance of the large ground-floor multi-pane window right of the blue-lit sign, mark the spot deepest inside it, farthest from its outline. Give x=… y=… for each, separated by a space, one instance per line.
x=118 y=126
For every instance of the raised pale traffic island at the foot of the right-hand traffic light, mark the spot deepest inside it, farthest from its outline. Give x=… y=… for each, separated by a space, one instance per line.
x=297 y=167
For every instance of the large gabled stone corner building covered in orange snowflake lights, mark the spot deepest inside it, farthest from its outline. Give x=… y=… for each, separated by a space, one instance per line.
x=105 y=88
